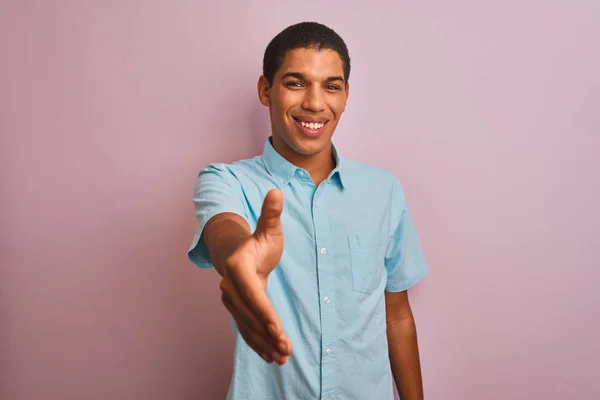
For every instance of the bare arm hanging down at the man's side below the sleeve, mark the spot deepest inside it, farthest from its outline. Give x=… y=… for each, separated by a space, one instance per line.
x=403 y=348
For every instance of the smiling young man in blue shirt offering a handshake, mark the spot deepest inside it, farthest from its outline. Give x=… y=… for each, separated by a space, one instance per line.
x=325 y=316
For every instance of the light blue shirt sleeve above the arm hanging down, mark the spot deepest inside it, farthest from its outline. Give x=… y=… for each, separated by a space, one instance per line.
x=404 y=261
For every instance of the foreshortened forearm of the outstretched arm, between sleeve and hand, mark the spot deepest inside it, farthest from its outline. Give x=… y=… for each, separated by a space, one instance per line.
x=223 y=234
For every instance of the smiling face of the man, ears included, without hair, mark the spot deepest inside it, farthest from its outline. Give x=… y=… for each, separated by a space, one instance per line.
x=306 y=100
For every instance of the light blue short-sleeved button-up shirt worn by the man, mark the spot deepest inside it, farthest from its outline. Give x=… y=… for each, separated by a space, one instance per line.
x=346 y=242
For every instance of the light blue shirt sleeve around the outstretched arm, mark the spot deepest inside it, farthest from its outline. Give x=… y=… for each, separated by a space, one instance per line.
x=217 y=191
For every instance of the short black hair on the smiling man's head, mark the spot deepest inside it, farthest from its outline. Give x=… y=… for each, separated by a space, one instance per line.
x=303 y=35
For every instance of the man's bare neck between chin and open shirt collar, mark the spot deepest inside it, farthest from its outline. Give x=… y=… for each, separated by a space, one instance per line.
x=319 y=165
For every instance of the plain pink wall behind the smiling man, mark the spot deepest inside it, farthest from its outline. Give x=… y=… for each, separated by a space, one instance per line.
x=489 y=114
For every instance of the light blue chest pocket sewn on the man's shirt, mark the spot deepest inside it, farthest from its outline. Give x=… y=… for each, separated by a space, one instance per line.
x=367 y=259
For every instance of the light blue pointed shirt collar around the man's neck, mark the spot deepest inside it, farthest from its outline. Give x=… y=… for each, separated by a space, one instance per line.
x=283 y=170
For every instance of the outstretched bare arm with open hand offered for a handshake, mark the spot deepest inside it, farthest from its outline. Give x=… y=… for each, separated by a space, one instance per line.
x=245 y=260
